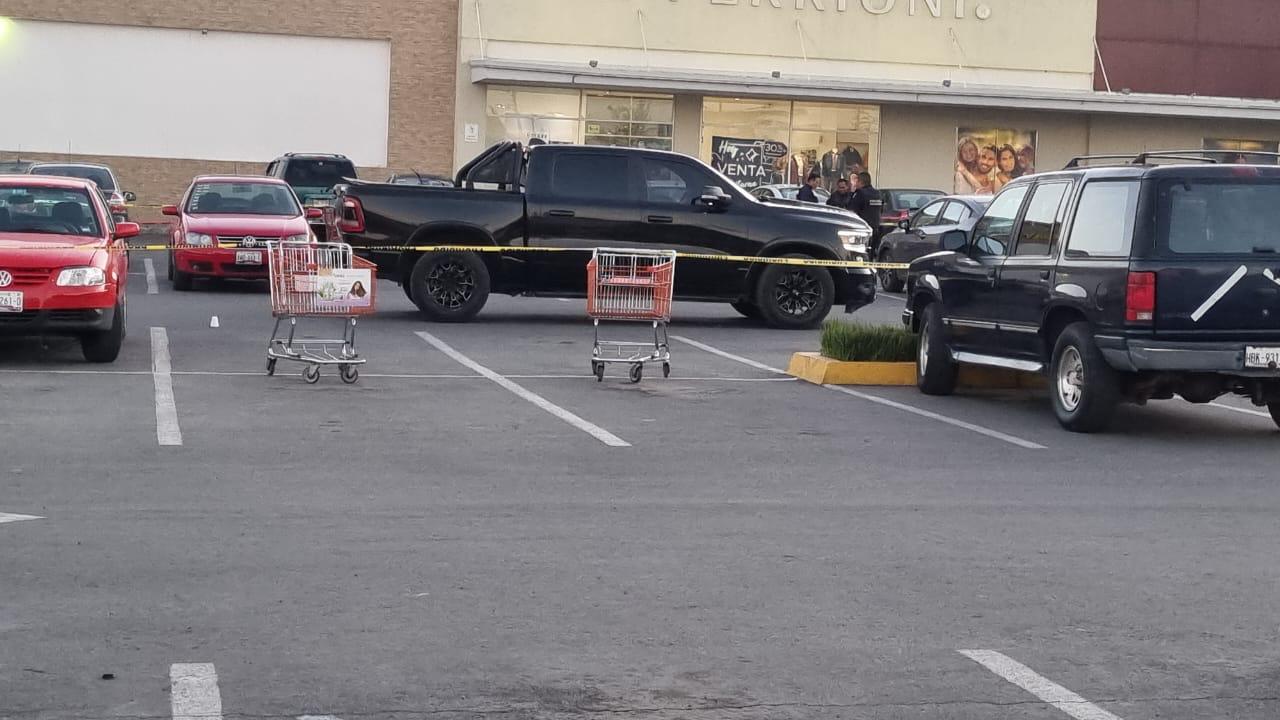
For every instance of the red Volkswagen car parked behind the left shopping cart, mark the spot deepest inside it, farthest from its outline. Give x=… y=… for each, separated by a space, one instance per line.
x=225 y=224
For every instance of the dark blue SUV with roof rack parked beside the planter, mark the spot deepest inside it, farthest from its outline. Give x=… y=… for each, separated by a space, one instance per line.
x=1139 y=281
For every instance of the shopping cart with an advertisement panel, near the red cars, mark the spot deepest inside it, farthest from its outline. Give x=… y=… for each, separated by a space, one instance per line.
x=318 y=280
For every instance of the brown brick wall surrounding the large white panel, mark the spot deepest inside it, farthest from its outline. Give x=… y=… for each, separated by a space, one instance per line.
x=423 y=37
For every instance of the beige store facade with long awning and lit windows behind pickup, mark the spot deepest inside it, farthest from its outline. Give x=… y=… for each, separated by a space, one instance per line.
x=957 y=95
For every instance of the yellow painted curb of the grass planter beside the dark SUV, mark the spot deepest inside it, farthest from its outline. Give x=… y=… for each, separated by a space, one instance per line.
x=812 y=367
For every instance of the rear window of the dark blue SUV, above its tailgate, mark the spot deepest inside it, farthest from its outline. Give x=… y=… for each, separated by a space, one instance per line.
x=1220 y=216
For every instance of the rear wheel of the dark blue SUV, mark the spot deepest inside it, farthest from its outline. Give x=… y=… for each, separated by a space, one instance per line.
x=1084 y=389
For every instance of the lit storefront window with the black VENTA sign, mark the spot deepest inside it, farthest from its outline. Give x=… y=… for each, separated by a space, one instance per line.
x=770 y=143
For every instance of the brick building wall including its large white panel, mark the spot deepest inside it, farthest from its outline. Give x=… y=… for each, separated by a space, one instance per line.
x=163 y=92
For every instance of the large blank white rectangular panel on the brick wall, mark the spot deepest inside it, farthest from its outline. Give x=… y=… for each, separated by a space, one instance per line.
x=108 y=90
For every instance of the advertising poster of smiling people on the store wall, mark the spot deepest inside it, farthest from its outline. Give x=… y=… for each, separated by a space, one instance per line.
x=988 y=160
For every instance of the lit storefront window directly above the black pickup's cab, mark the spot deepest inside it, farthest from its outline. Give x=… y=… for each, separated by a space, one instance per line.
x=572 y=116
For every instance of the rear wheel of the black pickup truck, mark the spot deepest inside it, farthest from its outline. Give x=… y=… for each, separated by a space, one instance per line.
x=450 y=288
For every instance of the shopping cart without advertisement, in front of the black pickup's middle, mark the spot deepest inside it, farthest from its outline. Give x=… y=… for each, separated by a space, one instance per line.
x=632 y=286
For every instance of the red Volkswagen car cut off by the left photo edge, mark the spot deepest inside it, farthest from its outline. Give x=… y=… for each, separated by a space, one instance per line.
x=63 y=263
